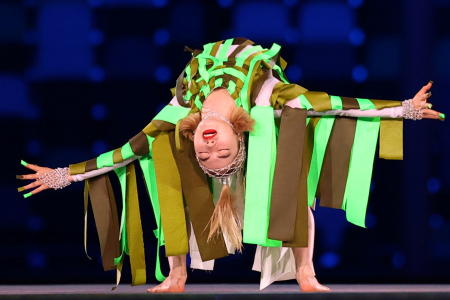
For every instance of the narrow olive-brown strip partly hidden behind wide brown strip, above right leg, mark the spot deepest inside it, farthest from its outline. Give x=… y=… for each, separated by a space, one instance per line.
x=301 y=219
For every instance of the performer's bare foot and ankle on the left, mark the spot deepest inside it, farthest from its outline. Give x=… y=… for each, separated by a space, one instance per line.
x=176 y=280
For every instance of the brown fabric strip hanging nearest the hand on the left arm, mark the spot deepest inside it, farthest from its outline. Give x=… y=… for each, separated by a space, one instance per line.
x=106 y=218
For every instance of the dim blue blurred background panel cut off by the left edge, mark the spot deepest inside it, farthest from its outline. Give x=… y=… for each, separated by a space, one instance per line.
x=14 y=98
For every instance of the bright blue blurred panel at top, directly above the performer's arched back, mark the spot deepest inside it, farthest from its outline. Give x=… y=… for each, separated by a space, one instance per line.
x=261 y=21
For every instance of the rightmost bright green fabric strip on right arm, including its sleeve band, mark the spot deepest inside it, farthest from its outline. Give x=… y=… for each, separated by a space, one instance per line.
x=361 y=163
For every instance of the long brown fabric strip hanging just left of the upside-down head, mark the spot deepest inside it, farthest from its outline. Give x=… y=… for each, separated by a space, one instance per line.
x=198 y=197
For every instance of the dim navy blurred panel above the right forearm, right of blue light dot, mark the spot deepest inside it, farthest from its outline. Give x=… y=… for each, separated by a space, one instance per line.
x=384 y=57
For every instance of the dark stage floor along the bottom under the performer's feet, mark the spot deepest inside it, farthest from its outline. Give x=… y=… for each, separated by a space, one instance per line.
x=227 y=291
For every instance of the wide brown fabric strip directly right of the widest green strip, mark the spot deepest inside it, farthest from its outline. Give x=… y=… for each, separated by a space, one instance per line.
x=286 y=181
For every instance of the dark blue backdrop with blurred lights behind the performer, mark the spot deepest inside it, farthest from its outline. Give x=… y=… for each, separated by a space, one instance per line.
x=78 y=78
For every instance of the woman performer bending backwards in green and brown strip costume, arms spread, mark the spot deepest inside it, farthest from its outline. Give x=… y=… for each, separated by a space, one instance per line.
x=238 y=155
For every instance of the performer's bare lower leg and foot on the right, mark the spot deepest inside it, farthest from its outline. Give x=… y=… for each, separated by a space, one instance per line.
x=304 y=265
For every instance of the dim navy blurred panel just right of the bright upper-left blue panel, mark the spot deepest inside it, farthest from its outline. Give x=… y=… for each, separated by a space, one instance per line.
x=130 y=57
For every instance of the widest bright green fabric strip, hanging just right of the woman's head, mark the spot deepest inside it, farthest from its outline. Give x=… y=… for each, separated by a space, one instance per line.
x=260 y=170
